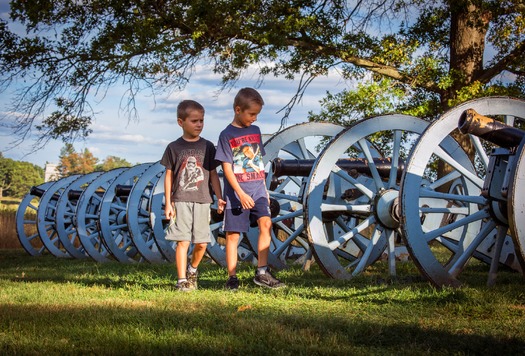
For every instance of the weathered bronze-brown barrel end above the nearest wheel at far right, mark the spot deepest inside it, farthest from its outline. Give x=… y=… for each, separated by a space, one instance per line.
x=489 y=129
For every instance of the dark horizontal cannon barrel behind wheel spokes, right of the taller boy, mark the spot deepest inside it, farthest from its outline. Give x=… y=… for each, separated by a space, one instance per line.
x=303 y=167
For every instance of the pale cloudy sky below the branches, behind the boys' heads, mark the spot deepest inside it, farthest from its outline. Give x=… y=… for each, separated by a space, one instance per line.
x=144 y=140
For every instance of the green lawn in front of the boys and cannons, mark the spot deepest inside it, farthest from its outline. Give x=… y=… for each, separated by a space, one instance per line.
x=55 y=306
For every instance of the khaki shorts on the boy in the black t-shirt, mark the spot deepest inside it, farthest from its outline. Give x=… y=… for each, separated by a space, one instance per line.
x=192 y=223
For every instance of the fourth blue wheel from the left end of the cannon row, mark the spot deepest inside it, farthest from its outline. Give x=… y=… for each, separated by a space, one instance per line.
x=88 y=216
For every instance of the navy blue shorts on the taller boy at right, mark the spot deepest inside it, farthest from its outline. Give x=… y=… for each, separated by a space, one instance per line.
x=239 y=219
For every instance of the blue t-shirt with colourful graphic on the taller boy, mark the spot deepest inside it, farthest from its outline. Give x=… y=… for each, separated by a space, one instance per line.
x=243 y=149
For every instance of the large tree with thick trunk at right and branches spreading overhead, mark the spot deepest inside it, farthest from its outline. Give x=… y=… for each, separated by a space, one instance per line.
x=422 y=57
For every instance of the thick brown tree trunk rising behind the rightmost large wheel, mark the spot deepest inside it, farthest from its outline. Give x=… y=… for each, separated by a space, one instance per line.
x=469 y=24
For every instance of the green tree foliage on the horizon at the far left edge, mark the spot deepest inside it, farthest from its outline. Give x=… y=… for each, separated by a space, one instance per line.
x=17 y=177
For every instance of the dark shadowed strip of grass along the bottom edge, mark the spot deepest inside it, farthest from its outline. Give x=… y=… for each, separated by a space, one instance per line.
x=215 y=328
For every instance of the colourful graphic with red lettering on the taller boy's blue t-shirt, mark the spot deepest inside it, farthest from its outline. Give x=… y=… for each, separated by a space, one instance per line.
x=247 y=158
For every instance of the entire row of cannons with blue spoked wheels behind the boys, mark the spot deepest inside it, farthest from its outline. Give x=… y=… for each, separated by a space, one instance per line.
x=344 y=197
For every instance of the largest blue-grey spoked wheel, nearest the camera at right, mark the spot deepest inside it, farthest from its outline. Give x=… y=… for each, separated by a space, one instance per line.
x=440 y=258
